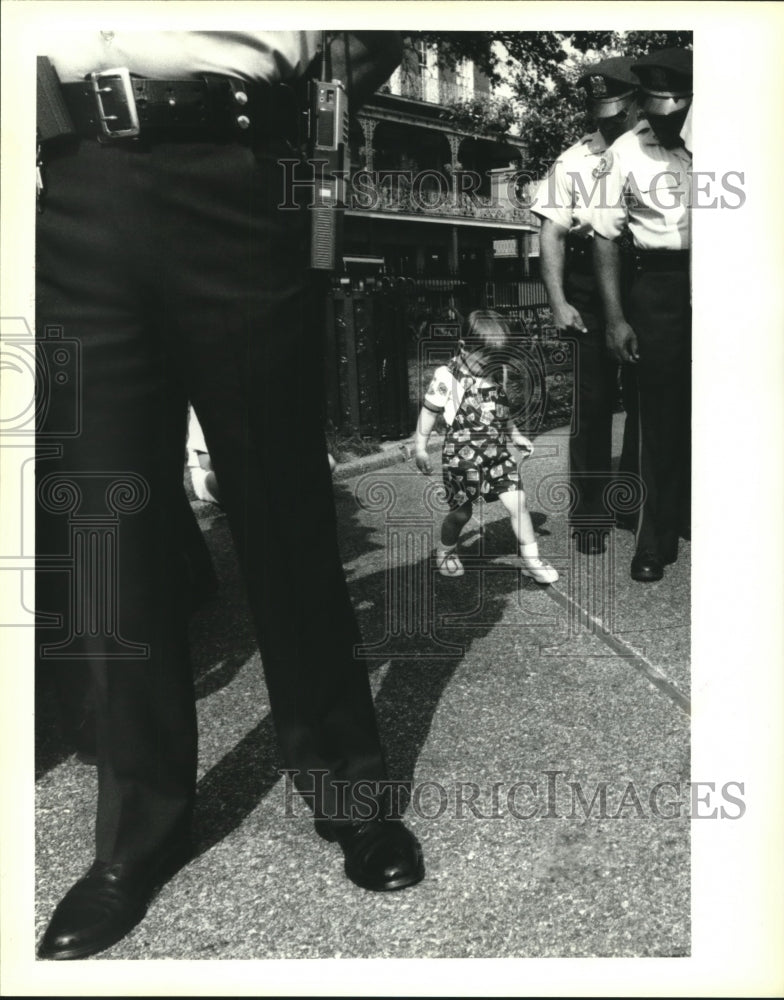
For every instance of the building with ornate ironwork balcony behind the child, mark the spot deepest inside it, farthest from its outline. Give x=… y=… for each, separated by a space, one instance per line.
x=435 y=182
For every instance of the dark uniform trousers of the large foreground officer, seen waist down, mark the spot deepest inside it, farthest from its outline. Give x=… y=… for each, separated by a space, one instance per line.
x=176 y=275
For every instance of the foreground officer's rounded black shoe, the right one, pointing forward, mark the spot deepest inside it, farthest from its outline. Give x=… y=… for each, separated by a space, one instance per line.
x=381 y=854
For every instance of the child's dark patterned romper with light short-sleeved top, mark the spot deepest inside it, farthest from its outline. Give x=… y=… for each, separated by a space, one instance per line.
x=476 y=462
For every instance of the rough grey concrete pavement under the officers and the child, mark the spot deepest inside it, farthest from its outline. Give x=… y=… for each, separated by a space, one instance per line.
x=545 y=729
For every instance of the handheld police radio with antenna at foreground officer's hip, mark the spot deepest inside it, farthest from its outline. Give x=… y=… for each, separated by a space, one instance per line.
x=328 y=142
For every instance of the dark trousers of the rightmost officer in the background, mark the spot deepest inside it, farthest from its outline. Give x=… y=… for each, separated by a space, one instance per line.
x=660 y=313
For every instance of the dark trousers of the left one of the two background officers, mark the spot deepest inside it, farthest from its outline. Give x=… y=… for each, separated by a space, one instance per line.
x=595 y=395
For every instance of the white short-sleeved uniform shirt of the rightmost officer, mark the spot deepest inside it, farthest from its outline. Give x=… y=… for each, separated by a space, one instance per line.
x=657 y=185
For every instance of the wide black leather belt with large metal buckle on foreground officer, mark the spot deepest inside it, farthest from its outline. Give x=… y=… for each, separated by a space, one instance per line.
x=113 y=105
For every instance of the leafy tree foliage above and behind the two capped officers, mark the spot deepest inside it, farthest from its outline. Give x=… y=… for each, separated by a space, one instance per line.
x=541 y=69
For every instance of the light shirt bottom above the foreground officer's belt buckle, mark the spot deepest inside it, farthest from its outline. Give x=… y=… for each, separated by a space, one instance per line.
x=273 y=56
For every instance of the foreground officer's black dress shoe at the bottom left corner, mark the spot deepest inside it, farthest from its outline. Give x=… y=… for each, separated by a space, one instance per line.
x=104 y=905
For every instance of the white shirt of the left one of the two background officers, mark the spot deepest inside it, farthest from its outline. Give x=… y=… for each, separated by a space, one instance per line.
x=563 y=196
